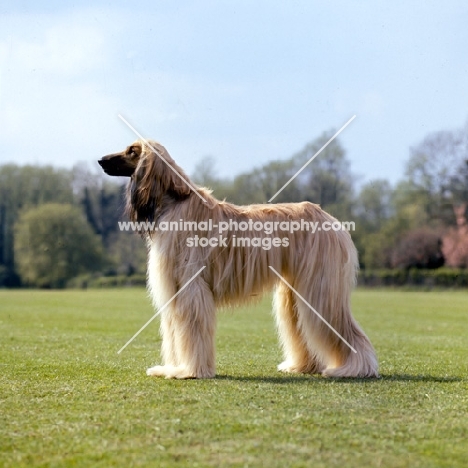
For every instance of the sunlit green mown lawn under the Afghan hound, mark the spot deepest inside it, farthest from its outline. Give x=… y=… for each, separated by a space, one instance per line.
x=68 y=399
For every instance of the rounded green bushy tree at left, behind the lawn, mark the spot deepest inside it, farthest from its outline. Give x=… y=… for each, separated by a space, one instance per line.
x=54 y=243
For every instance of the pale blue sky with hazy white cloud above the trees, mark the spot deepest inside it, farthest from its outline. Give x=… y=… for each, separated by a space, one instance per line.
x=245 y=82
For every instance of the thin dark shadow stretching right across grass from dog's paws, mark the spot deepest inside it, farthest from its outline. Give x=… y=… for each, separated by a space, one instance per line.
x=300 y=379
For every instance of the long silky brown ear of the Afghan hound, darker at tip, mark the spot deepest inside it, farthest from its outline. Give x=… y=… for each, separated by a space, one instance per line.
x=156 y=180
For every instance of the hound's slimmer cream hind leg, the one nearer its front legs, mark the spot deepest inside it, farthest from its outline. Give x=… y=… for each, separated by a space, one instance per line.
x=297 y=357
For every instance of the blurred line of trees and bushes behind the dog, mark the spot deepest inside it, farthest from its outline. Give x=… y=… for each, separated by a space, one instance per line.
x=56 y=224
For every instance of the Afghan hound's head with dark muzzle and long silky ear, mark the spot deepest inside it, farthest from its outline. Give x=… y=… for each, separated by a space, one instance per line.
x=155 y=178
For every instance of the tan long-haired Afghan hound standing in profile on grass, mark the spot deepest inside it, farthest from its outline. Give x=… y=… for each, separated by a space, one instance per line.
x=320 y=267
